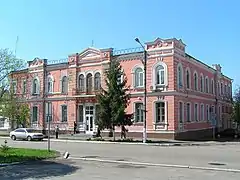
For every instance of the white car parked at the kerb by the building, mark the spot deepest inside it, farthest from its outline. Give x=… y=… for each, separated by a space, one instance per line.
x=26 y=134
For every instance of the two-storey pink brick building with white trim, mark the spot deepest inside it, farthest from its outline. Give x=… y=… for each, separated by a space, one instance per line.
x=183 y=94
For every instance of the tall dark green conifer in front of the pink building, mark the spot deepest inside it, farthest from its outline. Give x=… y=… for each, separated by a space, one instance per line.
x=114 y=99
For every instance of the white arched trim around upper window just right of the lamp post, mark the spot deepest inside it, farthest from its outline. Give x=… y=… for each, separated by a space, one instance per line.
x=154 y=83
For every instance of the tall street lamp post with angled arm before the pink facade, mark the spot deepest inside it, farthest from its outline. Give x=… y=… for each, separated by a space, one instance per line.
x=144 y=61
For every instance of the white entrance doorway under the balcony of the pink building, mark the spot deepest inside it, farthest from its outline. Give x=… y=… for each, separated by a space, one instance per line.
x=89 y=119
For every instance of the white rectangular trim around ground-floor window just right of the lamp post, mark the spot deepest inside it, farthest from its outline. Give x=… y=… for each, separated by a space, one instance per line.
x=165 y=115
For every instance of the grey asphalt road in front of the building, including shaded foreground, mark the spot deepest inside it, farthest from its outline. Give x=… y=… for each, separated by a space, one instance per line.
x=114 y=161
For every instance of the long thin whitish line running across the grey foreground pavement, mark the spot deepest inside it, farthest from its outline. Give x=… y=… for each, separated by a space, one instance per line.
x=157 y=164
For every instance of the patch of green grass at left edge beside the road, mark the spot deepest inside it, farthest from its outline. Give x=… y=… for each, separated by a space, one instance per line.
x=20 y=154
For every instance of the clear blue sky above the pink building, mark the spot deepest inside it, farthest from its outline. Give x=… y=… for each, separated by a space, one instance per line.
x=56 y=28
